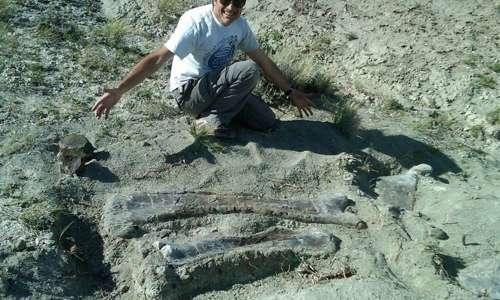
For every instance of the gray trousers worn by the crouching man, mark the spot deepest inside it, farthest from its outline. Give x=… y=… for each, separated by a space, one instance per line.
x=226 y=95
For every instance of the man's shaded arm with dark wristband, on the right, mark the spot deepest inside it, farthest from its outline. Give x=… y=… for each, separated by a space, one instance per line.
x=272 y=71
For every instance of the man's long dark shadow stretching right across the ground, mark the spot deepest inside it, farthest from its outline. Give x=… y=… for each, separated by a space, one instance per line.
x=323 y=138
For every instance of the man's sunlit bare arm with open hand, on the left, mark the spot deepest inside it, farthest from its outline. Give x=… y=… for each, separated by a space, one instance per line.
x=143 y=69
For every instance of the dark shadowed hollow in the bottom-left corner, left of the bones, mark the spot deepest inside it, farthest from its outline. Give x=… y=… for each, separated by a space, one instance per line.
x=65 y=273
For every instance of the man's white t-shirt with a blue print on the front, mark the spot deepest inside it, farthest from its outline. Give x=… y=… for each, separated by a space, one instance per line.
x=202 y=44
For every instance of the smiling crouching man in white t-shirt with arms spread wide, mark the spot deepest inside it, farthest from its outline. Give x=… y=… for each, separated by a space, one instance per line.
x=202 y=81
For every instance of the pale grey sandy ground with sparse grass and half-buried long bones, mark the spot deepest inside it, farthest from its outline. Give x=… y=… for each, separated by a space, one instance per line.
x=263 y=211
